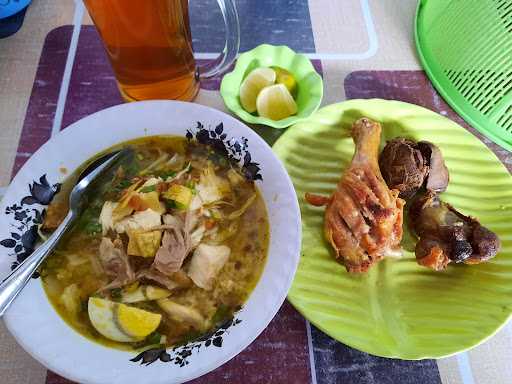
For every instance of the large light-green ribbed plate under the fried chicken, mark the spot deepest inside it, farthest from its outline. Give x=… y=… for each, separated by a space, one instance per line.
x=400 y=309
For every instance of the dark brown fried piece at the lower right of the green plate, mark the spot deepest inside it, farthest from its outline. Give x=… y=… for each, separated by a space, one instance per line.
x=446 y=235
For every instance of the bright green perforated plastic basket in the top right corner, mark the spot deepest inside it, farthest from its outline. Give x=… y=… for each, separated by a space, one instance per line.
x=465 y=47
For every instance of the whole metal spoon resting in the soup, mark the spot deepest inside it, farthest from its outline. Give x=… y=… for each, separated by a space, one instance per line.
x=16 y=281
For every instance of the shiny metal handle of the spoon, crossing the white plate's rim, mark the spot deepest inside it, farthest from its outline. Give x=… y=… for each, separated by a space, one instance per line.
x=16 y=281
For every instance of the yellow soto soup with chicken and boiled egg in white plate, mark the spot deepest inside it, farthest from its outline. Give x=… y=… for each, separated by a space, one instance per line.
x=169 y=248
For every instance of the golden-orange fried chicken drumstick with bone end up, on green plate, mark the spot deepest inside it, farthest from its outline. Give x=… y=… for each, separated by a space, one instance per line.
x=363 y=218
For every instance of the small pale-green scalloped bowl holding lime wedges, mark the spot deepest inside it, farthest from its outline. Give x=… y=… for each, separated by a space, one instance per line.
x=309 y=83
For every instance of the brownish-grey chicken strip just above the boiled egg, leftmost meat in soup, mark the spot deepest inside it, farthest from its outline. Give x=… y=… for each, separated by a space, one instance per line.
x=115 y=263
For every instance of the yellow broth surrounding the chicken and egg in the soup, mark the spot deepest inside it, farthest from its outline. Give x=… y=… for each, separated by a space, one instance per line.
x=76 y=260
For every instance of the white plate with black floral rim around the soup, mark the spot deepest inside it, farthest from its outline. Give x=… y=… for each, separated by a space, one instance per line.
x=44 y=334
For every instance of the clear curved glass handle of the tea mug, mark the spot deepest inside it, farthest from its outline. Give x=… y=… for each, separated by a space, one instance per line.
x=228 y=54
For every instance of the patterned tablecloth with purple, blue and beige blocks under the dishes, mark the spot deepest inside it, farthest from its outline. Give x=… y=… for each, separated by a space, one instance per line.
x=54 y=72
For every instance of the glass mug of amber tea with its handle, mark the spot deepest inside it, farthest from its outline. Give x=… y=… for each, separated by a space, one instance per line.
x=149 y=45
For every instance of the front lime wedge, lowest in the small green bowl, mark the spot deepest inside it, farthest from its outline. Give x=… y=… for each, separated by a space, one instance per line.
x=275 y=102
